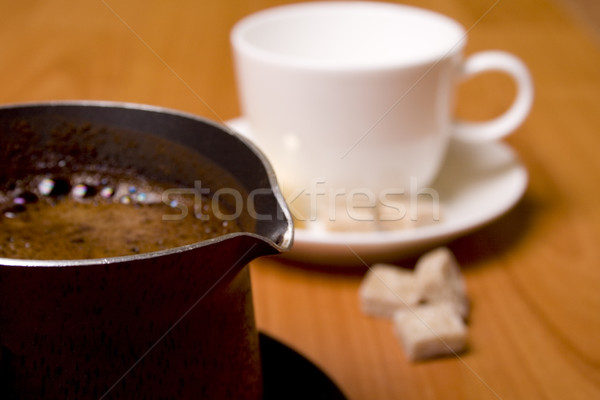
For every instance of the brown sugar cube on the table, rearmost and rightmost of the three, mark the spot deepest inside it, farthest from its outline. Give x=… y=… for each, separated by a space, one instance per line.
x=439 y=279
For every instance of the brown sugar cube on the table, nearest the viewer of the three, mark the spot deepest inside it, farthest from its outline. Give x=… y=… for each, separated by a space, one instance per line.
x=430 y=330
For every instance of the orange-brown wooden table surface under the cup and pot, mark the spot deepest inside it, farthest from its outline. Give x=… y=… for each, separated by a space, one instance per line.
x=533 y=275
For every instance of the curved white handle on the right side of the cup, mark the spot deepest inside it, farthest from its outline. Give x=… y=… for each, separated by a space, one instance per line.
x=509 y=121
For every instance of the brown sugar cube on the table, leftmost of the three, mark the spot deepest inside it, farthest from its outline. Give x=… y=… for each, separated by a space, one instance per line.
x=387 y=288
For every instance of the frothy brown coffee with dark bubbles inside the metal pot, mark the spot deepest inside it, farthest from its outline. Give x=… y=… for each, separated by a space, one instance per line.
x=86 y=216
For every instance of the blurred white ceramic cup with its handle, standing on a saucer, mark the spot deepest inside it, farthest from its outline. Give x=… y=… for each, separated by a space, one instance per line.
x=360 y=94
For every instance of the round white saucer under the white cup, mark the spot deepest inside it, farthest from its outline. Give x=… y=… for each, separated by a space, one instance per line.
x=478 y=184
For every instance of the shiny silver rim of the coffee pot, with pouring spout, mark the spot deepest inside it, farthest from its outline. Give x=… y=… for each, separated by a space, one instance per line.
x=287 y=238
